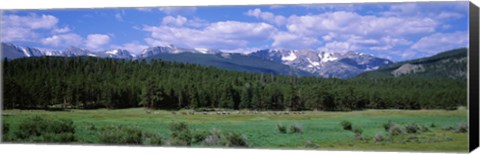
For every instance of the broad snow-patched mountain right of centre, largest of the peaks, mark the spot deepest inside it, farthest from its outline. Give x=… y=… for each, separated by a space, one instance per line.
x=325 y=64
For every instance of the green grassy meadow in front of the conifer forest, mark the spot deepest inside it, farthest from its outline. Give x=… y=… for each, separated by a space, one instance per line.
x=321 y=130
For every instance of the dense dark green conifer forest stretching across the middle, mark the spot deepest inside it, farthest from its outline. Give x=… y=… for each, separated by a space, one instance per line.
x=88 y=82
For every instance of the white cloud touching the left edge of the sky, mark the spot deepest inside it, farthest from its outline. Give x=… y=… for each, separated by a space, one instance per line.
x=23 y=28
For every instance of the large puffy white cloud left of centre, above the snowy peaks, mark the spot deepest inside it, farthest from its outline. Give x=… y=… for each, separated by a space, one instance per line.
x=220 y=35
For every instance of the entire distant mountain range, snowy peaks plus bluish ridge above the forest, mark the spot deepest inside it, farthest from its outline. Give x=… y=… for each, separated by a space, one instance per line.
x=273 y=61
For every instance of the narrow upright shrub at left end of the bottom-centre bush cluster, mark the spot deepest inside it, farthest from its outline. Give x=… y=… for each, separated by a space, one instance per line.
x=181 y=134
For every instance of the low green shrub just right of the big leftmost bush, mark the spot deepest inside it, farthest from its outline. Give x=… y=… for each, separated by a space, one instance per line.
x=120 y=135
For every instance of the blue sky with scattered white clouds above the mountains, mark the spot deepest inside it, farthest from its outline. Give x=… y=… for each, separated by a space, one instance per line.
x=398 y=31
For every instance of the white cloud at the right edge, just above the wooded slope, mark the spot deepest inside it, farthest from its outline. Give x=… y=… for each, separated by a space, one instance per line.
x=441 y=41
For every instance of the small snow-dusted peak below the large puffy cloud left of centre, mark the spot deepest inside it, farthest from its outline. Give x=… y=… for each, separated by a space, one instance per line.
x=171 y=49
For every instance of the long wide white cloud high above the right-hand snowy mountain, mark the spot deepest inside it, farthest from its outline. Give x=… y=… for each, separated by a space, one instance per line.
x=353 y=23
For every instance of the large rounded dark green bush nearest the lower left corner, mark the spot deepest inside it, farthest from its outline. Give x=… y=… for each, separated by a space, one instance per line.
x=39 y=129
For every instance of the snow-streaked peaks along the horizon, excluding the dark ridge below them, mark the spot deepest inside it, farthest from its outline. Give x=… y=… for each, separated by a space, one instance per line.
x=325 y=64
